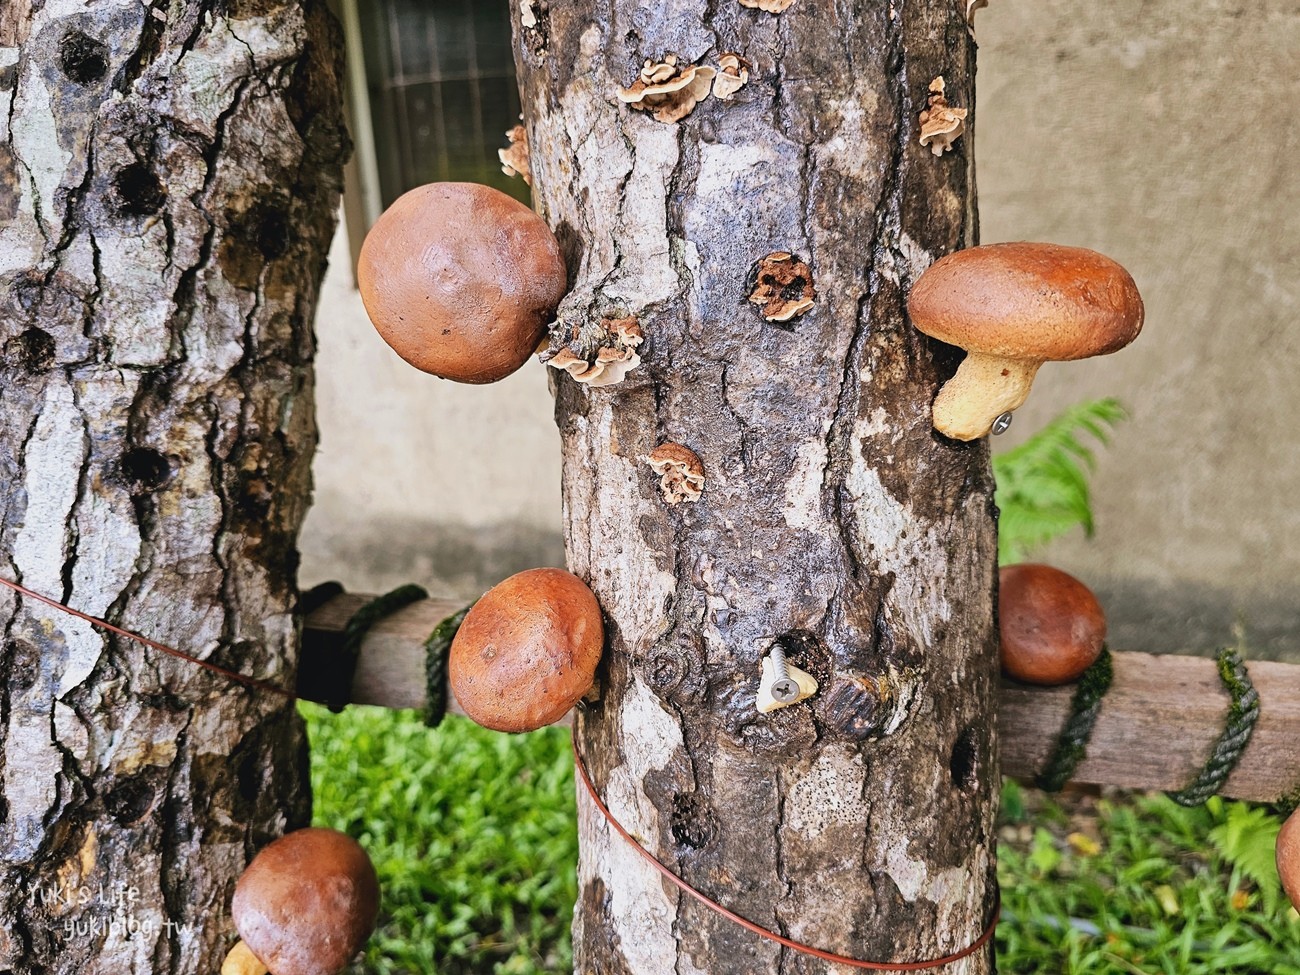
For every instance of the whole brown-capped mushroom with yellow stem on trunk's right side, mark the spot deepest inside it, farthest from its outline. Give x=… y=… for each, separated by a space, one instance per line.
x=1012 y=307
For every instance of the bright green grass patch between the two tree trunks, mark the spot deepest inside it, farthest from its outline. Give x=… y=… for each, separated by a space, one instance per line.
x=473 y=835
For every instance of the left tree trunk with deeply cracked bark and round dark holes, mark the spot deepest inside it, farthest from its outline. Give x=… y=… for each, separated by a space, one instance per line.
x=170 y=177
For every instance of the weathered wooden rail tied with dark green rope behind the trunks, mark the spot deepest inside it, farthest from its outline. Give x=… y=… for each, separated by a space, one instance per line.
x=1155 y=731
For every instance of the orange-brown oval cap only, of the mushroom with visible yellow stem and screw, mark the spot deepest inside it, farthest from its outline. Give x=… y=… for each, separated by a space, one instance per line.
x=1028 y=301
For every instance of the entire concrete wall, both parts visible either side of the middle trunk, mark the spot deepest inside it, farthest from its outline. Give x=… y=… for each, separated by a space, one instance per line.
x=1158 y=133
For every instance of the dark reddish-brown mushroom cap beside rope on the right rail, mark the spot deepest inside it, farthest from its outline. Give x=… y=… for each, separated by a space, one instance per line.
x=1051 y=625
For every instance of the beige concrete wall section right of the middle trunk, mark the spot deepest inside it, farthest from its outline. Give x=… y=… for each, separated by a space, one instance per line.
x=1151 y=132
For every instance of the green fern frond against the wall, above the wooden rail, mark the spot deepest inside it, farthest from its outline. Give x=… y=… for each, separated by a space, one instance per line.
x=1043 y=484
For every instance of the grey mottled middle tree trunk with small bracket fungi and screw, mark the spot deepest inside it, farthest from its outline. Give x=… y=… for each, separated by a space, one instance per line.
x=834 y=521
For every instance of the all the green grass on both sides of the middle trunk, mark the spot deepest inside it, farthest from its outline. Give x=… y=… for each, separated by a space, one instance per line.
x=474 y=837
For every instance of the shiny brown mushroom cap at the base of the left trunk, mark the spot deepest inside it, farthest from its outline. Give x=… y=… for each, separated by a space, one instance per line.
x=307 y=903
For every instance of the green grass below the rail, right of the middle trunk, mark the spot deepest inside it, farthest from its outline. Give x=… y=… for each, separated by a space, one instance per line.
x=1141 y=885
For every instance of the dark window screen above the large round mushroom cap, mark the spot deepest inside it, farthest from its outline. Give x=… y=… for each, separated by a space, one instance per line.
x=441 y=80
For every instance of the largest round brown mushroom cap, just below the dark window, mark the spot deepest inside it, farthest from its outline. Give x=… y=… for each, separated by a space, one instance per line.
x=461 y=280
